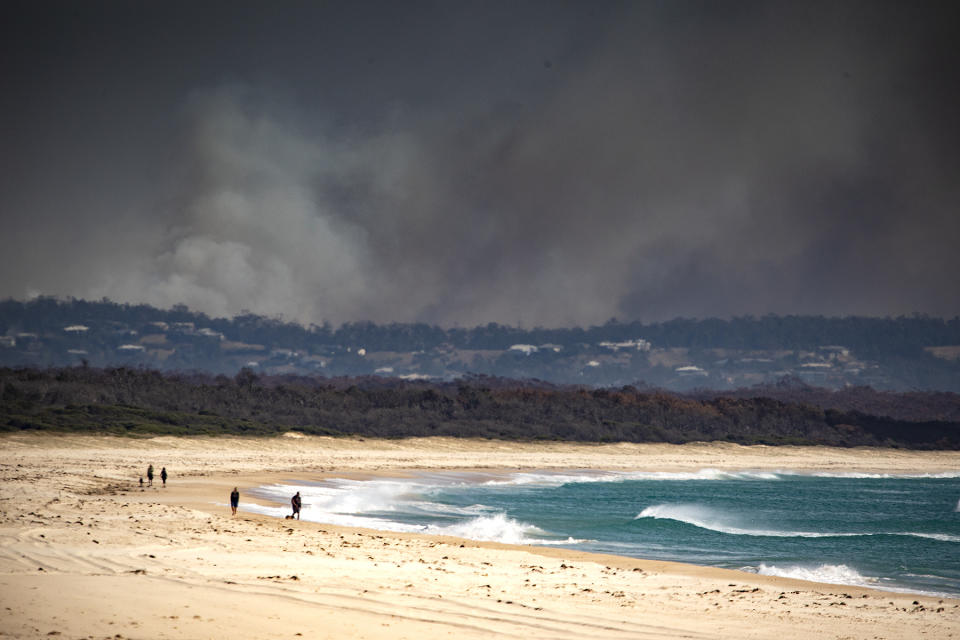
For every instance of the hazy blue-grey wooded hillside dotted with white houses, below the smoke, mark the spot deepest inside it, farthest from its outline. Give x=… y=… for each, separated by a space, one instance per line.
x=907 y=353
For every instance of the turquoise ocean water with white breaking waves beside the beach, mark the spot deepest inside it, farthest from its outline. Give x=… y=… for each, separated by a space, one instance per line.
x=896 y=532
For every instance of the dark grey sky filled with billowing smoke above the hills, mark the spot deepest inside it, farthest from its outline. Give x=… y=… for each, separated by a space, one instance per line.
x=534 y=163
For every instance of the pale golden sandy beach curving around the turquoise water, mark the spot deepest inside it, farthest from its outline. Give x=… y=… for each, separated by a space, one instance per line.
x=85 y=553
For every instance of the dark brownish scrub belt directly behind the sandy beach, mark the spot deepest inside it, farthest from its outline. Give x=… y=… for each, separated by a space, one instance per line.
x=136 y=401
